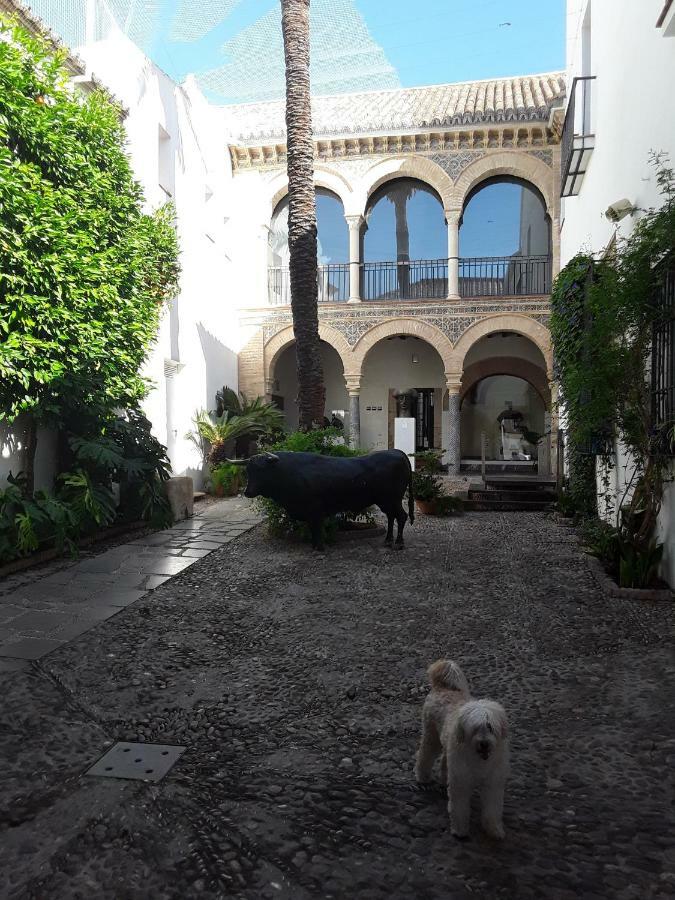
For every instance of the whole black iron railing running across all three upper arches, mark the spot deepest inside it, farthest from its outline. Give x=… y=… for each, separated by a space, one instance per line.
x=424 y=279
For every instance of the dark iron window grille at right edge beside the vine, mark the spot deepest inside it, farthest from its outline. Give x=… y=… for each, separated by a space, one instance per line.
x=663 y=350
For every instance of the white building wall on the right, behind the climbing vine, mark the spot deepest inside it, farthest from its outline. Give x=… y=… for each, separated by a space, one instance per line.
x=633 y=113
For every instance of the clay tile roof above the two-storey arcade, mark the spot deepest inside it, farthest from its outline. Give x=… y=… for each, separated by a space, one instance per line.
x=527 y=98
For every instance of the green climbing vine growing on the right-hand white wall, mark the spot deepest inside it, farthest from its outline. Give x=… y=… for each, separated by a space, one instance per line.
x=603 y=317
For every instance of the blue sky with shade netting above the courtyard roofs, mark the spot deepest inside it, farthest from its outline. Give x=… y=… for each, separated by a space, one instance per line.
x=235 y=46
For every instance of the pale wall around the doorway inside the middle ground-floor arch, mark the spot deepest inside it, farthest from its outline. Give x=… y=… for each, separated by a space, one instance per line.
x=389 y=365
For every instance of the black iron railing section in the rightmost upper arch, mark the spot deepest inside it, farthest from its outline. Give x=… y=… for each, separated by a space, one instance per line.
x=502 y=276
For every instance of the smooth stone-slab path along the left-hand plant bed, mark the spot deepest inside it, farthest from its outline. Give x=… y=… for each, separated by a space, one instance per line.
x=41 y=609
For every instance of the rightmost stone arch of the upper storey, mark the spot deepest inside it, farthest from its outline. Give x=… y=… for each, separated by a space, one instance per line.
x=513 y=163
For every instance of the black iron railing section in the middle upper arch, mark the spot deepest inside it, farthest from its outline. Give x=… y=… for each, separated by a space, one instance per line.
x=419 y=279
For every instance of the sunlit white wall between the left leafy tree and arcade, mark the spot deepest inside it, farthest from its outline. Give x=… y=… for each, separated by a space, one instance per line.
x=177 y=142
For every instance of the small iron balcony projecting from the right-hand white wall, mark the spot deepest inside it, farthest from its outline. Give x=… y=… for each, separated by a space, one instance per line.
x=578 y=138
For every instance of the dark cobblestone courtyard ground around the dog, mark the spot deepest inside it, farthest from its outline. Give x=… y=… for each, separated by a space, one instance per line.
x=295 y=681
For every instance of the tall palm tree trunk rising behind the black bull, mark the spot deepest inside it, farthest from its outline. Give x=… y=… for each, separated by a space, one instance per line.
x=302 y=214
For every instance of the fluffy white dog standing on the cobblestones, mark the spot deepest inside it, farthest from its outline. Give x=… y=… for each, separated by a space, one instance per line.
x=472 y=736
